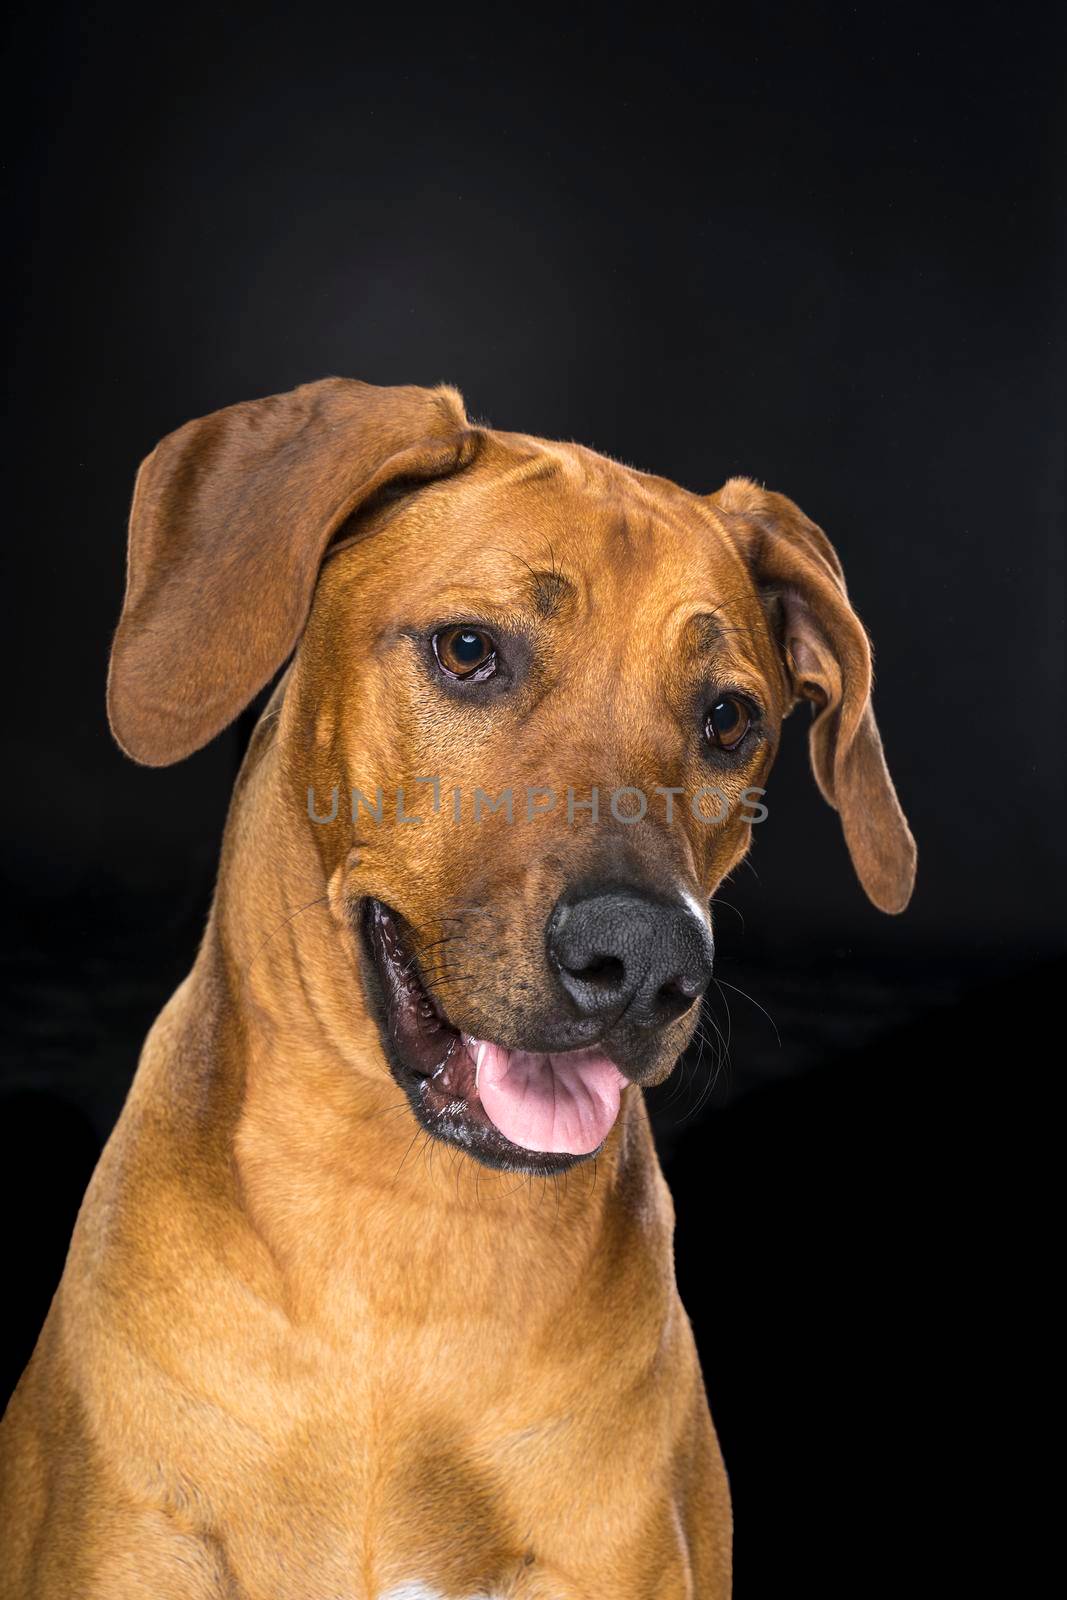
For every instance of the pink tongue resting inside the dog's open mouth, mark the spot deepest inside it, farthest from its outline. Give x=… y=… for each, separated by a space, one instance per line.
x=565 y=1103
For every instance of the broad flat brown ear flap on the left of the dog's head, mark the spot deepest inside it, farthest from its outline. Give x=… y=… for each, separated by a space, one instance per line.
x=231 y=519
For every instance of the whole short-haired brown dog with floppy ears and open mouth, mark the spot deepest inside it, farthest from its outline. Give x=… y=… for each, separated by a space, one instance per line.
x=321 y=1335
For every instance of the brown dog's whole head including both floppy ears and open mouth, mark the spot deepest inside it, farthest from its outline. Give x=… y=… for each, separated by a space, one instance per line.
x=533 y=706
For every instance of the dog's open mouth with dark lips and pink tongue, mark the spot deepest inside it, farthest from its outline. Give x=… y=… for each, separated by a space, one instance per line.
x=519 y=1110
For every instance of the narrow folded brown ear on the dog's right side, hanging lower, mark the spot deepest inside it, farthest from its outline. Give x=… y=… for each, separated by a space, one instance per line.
x=826 y=657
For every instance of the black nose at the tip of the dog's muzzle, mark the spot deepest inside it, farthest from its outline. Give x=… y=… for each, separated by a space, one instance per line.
x=623 y=951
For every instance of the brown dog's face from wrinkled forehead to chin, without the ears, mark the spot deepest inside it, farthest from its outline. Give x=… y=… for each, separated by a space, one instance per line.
x=537 y=630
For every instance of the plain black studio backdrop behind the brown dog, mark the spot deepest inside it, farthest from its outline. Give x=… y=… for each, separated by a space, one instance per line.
x=818 y=246
